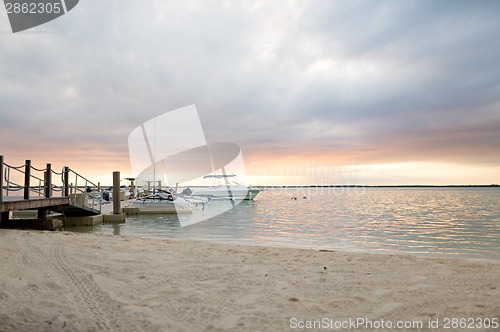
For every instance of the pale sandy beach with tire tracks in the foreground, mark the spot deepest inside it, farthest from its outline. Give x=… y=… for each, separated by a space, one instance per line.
x=85 y=282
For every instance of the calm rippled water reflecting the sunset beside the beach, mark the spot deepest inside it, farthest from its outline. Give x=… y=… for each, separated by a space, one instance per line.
x=433 y=221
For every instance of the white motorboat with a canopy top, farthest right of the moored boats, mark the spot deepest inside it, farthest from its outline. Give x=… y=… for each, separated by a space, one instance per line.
x=225 y=187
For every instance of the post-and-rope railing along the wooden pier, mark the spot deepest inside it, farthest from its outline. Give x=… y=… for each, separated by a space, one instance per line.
x=36 y=183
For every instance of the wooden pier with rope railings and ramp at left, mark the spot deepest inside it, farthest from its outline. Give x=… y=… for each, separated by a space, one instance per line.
x=79 y=201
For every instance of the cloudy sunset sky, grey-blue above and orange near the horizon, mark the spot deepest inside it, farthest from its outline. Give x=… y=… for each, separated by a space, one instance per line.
x=313 y=92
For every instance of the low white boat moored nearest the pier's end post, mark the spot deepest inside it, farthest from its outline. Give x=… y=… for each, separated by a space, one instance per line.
x=162 y=202
